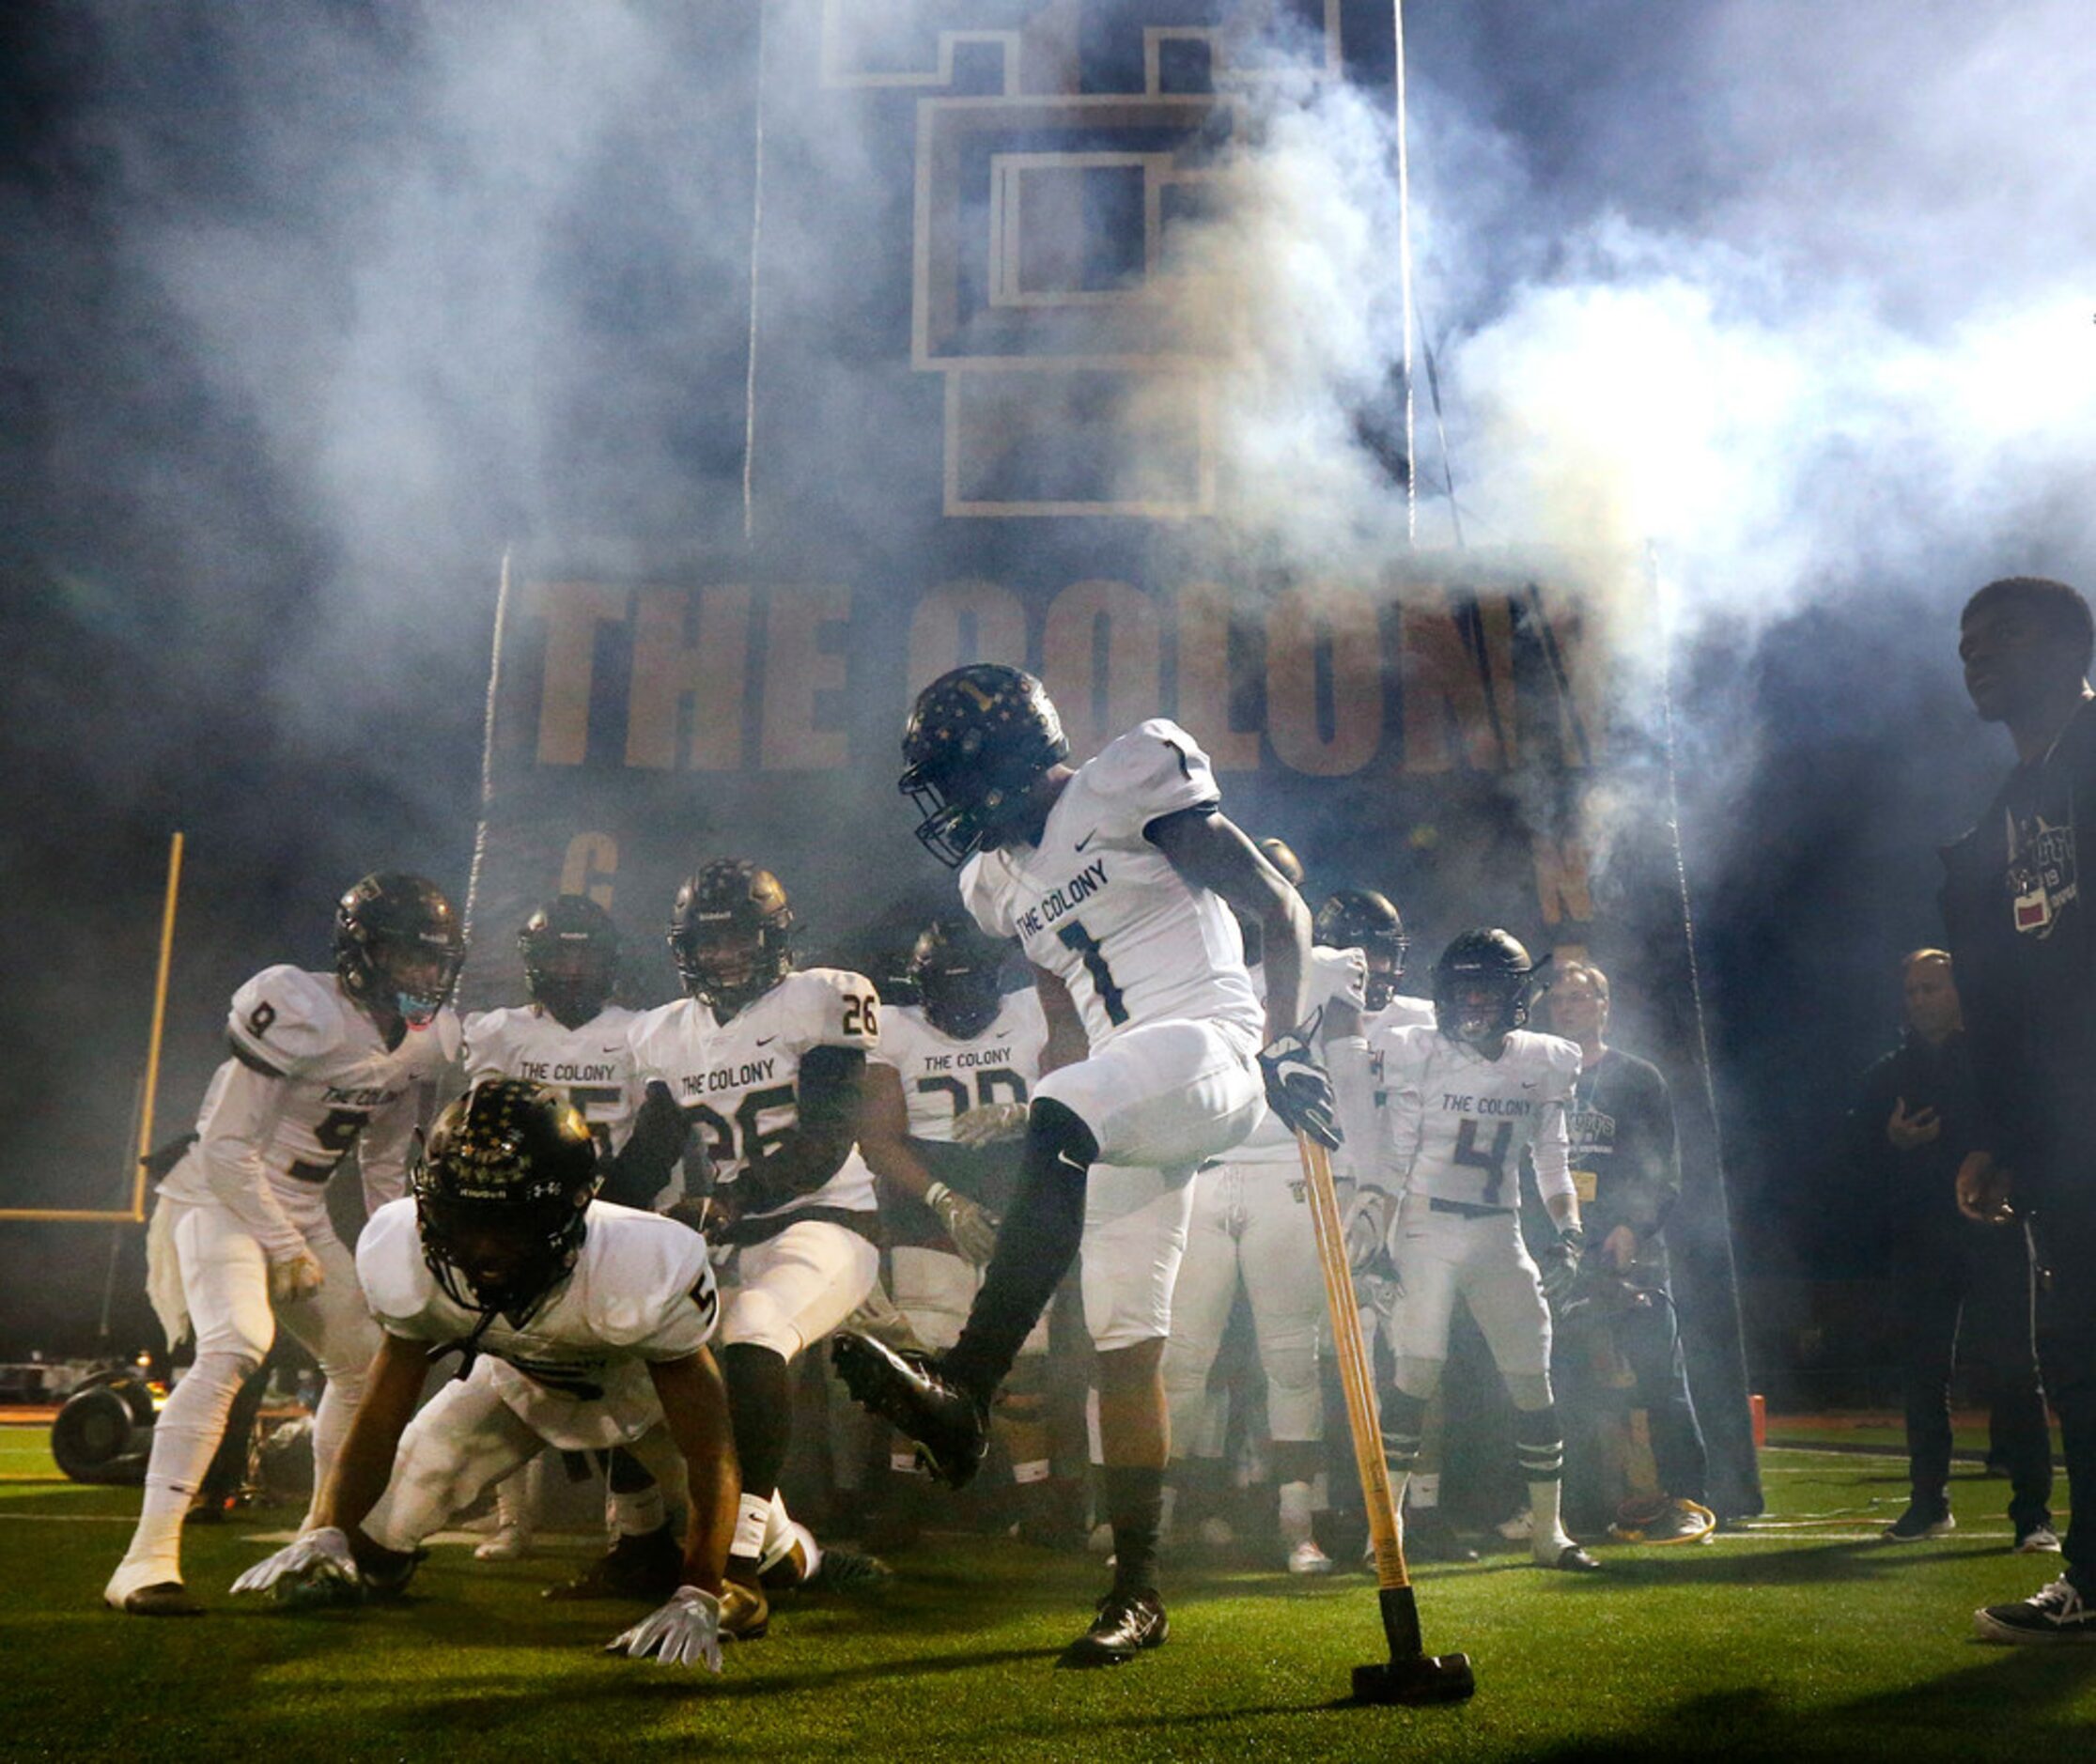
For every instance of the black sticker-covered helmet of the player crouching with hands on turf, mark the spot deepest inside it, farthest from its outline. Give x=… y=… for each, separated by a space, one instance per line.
x=502 y=1187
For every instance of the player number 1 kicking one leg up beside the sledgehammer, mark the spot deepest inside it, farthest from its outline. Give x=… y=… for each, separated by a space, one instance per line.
x=1118 y=879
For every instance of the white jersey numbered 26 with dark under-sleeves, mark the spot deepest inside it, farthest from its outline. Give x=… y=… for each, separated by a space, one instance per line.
x=737 y=1080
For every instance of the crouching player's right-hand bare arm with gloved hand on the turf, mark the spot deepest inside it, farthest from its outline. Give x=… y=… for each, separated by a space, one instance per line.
x=686 y=1629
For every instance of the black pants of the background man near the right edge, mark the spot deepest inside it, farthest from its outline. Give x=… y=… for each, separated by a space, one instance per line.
x=1967 y=1294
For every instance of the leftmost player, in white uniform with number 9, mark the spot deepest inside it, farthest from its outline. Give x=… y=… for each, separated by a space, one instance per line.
x=240 y=1239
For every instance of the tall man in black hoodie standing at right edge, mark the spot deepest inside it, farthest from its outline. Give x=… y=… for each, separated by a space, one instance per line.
x=2026 y=954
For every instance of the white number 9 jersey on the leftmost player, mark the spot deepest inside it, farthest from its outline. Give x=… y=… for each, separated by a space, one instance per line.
x=339 y=1084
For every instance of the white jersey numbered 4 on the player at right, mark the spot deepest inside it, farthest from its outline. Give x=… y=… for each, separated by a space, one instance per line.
x=1456 y=1124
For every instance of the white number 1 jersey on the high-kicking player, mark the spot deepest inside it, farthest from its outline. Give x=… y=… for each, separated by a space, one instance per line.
x=1106 y=912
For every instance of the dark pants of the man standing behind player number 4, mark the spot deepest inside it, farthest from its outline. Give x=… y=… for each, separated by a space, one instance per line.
x=1651 y=1350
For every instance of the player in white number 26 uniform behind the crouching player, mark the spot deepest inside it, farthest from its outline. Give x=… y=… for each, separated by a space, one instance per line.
x=768 y=1063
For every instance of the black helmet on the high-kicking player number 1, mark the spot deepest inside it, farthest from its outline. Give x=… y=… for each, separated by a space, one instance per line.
x=976 y=743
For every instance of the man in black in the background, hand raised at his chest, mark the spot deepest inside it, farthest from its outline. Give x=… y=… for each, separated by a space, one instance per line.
x=1961 y=1283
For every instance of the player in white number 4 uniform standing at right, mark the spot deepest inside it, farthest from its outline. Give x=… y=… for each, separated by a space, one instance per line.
x=1462 y=1103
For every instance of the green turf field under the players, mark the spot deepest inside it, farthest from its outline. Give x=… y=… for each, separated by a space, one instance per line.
x=1804 y=1637
